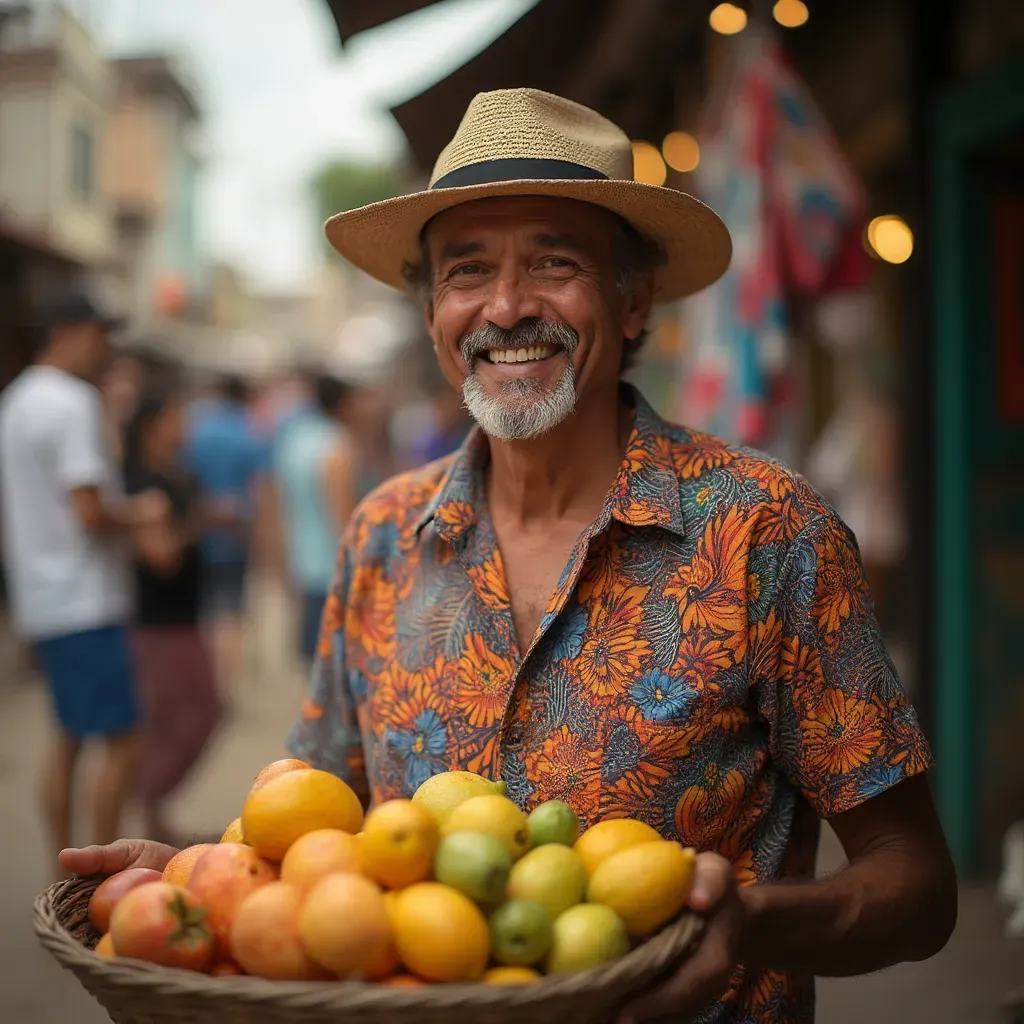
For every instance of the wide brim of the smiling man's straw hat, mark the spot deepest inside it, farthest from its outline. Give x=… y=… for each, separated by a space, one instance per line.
x=382 y=238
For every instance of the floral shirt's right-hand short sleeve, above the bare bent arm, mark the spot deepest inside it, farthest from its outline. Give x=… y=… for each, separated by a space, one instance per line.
x=842 y=729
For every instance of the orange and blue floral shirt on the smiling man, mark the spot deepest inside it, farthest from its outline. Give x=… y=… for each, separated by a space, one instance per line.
x=709 y=663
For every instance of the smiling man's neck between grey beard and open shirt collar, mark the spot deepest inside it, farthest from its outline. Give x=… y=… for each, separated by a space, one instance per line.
x=566 y=474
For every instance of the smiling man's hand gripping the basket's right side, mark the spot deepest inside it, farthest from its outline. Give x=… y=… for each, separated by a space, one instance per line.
x=706 y=975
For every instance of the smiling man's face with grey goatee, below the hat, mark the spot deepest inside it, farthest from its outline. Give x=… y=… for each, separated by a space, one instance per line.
x=526 y=317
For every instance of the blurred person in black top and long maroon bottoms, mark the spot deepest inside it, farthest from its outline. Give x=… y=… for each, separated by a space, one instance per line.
x=177 y=685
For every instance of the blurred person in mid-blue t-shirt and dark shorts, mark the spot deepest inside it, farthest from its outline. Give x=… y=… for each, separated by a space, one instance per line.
x=231 y=464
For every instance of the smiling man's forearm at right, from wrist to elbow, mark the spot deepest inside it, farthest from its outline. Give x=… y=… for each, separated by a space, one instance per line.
x=880 y=911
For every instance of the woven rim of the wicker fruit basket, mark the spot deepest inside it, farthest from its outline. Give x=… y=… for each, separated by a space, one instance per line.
x=645 y=963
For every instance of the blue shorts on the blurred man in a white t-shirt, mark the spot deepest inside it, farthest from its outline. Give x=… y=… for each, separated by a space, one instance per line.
x=92 y=681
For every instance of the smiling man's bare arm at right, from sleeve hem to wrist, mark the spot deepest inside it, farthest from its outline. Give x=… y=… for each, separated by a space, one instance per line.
x=894 y=902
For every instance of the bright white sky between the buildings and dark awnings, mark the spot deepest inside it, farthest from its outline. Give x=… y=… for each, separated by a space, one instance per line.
x=280 y=98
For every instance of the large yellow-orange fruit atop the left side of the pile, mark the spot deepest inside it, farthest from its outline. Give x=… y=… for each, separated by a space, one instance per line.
x=298 y=802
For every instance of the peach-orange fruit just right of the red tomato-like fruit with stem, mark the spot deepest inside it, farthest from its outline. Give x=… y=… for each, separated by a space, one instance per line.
x=265 y=936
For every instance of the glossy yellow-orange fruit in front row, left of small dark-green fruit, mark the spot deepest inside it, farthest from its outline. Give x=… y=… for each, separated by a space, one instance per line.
x=440 y=933
